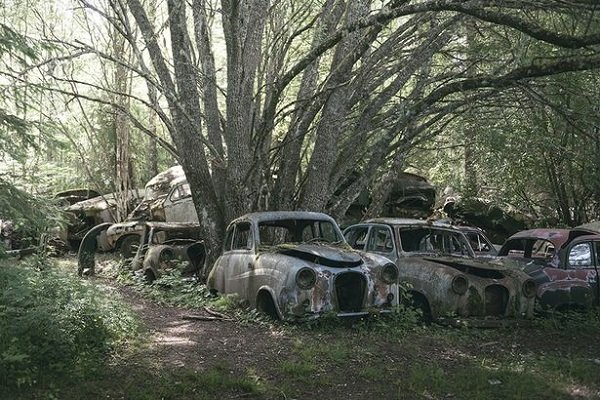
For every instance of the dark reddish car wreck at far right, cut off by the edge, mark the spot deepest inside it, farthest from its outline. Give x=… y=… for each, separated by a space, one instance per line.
x=564 y=263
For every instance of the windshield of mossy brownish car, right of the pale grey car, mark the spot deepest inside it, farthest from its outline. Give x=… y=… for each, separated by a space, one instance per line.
x=426 y=240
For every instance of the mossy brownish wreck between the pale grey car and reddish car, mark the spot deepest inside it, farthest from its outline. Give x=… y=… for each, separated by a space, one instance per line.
x=445 y=279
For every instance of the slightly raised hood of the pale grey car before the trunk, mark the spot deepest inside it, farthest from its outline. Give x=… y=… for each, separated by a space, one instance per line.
x=330 y=256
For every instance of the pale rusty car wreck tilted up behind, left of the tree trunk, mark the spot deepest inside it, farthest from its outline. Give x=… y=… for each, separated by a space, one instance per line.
x=167 y=198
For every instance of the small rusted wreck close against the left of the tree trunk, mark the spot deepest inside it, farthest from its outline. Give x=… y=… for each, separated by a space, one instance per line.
x=167 y=246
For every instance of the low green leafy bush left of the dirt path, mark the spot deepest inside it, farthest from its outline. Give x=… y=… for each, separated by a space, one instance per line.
x=55 y=325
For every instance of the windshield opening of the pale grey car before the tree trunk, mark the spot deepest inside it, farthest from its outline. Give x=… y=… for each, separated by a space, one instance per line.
x=275 y=233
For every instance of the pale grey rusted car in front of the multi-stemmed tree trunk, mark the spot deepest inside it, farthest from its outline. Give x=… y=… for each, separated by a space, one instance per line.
x=296 y=265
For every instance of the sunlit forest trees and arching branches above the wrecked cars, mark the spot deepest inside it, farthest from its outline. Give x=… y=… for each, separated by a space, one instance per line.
x=303 y=104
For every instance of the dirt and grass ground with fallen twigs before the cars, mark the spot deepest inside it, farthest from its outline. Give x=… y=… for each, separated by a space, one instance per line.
x=179 y=358
